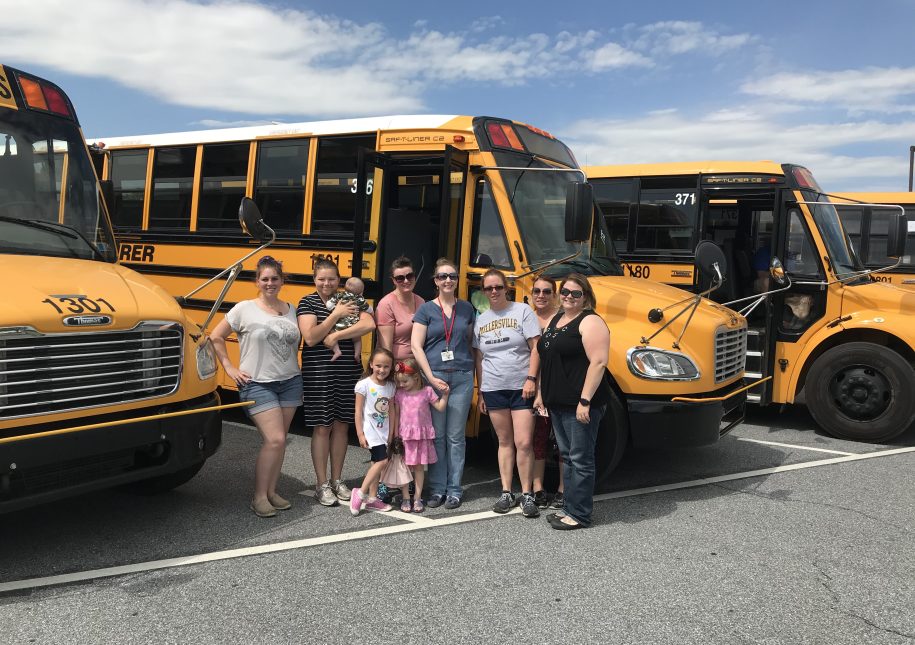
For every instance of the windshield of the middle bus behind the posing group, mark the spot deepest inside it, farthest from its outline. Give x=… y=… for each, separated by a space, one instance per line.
x=538 y=199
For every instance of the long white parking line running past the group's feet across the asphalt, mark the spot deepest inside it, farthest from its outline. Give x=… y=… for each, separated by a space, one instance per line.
x=415 y=524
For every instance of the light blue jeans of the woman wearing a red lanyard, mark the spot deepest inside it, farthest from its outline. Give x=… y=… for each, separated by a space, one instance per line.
x=444 y=476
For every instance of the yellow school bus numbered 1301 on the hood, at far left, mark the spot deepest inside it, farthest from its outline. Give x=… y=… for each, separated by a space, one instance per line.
x=103 y=379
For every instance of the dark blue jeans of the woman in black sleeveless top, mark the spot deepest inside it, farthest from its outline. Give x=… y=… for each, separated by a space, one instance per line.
x=576 y=445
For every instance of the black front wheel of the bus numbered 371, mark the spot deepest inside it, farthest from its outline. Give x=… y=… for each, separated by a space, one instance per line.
x=861 y=391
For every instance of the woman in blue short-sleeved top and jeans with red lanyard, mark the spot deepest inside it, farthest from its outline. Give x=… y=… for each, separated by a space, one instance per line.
x=440 y=341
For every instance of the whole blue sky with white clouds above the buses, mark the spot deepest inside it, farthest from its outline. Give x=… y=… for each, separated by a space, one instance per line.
x=826 y=84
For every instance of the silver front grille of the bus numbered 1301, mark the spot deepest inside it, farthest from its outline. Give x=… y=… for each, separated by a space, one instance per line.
x=52 y=373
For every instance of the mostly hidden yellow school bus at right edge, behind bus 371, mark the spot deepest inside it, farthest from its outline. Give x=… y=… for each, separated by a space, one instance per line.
x=865 y=217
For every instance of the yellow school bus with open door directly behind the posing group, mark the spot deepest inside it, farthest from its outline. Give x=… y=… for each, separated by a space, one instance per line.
x=487 y=192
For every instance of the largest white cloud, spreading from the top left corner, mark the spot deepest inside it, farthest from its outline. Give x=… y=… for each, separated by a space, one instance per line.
x=242 y=56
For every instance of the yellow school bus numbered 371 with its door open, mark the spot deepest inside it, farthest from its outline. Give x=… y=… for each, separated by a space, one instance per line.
x=836 y=339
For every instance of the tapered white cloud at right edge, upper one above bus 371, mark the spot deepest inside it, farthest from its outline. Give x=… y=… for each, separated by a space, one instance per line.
x=871 y=89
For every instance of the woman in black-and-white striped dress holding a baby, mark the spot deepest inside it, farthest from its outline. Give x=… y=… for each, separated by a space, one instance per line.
x=329 y=399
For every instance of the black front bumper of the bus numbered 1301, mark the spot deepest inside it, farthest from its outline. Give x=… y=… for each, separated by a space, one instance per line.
x=42 y=469
